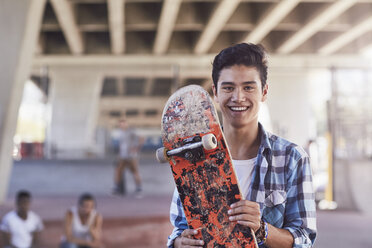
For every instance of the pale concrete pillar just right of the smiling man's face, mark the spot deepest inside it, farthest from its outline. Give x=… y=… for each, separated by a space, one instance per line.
x=289 y=104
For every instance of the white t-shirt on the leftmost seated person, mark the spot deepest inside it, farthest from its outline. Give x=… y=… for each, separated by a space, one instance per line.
x=21 y=230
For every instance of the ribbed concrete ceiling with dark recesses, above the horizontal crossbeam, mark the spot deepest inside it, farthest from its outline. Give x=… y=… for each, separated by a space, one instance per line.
x=120 y=27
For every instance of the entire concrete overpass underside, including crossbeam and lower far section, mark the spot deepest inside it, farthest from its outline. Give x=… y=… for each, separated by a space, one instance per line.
x=151 y=47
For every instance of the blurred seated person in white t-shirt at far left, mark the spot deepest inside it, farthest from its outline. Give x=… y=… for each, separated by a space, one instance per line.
x=21 y=228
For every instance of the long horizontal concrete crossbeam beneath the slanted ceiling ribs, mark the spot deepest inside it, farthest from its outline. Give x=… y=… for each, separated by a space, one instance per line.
x=196 y=64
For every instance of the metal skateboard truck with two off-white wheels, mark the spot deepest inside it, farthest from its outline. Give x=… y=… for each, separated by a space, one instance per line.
x=193 y=150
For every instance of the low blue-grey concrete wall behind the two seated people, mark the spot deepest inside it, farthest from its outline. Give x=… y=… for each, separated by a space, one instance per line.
x=71 y=178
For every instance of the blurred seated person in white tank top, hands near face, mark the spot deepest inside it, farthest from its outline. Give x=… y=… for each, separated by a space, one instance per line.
x=83 y=225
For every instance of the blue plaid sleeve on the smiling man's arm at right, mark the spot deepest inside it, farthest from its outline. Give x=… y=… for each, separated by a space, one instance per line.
x=300 y=216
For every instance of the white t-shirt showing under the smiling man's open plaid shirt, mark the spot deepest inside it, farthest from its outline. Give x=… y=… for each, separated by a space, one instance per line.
x=244 y=172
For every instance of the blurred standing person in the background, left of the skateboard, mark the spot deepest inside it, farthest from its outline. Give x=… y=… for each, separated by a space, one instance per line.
x=129 y=147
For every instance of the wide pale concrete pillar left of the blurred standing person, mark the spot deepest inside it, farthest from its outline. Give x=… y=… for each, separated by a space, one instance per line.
x=74 y=99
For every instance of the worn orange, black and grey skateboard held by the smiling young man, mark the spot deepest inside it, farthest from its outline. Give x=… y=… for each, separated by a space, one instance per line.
x=195 y=148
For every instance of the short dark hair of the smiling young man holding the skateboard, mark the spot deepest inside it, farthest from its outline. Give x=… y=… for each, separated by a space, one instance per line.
x=247 y=54
